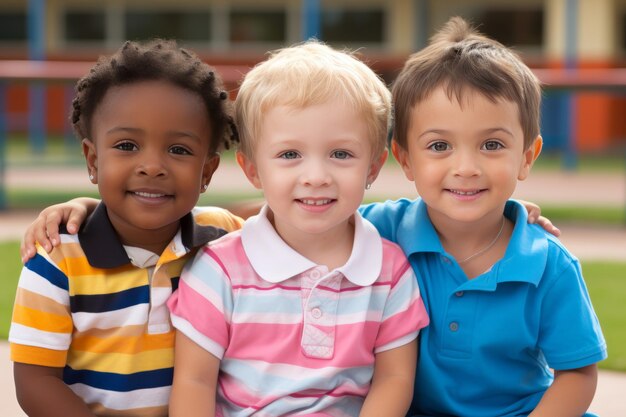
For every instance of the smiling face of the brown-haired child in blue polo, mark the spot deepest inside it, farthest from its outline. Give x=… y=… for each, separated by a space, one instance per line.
x=465 y=159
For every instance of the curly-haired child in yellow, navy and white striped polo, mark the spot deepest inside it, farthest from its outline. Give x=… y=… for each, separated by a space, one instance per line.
x=91 y=334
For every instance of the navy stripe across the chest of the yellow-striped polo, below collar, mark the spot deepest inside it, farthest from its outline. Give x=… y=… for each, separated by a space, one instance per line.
x=100 y=303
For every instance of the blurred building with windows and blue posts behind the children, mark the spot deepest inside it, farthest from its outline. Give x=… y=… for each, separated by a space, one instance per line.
x=547 y=33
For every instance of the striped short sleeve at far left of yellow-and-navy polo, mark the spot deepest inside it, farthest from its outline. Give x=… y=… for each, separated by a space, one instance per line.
x=41 y=326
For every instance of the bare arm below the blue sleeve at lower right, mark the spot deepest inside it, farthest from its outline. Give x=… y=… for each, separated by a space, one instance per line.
x=570 y=394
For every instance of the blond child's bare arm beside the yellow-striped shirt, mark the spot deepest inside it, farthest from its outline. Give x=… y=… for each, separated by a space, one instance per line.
x=195 y=380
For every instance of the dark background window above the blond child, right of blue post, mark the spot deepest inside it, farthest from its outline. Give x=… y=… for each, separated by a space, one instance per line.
x=354 y=26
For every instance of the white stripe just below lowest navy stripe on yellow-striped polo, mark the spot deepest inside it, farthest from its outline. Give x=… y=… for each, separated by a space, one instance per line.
x=149 y=397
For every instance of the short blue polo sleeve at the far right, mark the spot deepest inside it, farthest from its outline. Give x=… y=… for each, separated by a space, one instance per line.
x=570 y=334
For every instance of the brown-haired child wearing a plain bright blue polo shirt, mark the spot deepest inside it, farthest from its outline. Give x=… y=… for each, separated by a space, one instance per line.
x=507 y=301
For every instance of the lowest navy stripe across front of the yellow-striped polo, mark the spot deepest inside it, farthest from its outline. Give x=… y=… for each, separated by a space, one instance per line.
x=119 y=382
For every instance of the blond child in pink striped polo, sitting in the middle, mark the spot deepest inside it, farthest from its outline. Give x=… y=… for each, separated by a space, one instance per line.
x=306 y=310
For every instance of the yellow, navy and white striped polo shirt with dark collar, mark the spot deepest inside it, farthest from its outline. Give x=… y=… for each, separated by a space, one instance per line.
x=86 y=307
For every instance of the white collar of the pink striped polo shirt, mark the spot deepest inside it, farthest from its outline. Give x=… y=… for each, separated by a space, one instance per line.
x=275 y=261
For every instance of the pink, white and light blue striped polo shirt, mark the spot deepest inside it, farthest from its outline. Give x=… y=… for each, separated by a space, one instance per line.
x=293 y=337
